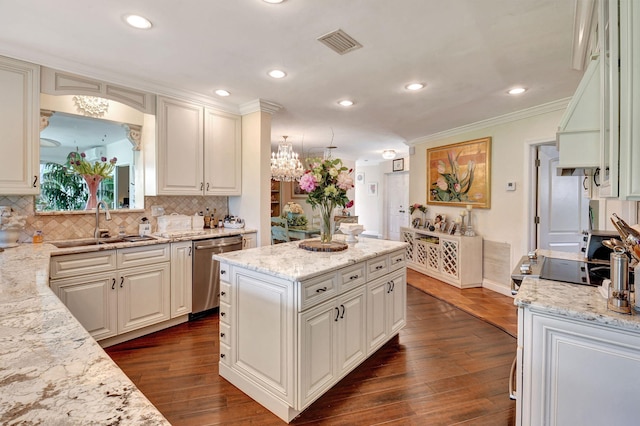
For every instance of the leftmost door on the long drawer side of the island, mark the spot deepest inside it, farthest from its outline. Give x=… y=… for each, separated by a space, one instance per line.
x=317 y=350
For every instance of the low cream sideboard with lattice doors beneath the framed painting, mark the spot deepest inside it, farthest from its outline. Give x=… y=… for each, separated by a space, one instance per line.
x=454 y=259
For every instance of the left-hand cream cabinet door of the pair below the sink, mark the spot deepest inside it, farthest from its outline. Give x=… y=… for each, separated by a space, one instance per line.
x=93 y=300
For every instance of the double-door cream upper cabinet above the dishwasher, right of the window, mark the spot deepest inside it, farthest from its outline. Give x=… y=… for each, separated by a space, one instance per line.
x=199 y=150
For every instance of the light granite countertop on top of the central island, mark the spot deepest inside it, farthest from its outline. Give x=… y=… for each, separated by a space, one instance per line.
x=290 y=262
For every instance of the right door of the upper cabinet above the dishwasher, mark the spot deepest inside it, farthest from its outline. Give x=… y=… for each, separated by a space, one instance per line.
x=223 y=154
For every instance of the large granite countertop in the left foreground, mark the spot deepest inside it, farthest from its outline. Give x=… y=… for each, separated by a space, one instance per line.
x=51 y=370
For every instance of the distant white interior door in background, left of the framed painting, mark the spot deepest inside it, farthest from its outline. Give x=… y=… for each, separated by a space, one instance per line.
x=397 y=205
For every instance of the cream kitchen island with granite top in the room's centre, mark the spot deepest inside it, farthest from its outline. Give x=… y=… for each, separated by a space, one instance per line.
x=294 y=322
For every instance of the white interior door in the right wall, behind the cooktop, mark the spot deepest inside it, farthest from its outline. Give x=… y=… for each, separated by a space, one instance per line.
x=563 y=212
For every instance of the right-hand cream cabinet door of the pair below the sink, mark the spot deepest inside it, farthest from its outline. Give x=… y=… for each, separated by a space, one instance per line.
x=143 y=296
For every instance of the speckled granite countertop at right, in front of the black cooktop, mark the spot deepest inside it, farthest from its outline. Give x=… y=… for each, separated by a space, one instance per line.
x=572 y=301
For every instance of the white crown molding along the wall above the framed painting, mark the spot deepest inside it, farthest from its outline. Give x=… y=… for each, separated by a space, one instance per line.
x=558 y=105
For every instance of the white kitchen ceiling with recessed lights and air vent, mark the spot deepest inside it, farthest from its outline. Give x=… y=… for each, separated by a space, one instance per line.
x=468 y=52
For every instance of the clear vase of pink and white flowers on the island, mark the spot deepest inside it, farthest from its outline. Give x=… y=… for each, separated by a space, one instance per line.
x=326 y=182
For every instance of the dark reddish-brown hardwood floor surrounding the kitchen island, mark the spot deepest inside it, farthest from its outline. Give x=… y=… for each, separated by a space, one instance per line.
x=446 y=367
